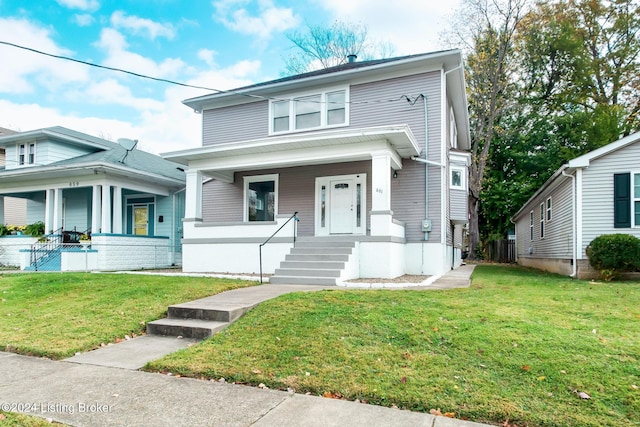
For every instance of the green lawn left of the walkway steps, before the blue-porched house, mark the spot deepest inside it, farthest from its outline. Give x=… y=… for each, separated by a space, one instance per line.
x=56 y=315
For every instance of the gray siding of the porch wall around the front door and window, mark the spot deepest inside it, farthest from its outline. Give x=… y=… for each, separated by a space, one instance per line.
x=296 y=193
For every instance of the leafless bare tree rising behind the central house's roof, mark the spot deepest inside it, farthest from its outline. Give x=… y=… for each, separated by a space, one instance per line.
x=322 y=47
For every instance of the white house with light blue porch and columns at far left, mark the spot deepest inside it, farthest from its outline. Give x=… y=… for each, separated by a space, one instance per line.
x=78 y=184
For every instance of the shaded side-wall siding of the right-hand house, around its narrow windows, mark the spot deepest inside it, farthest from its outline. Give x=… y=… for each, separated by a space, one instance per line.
x=558 y=238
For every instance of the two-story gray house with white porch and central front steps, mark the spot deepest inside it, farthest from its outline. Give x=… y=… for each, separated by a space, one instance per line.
x=372 y=156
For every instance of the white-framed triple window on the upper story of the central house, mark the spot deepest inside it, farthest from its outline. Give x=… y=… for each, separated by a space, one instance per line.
x=309 y=111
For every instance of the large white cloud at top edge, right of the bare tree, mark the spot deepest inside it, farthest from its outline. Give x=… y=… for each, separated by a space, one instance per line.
x=411 y=26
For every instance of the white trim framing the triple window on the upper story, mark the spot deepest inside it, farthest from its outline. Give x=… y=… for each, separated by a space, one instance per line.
x=323 y=111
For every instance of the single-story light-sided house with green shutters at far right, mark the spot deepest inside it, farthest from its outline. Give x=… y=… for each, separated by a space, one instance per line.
x=594 y=194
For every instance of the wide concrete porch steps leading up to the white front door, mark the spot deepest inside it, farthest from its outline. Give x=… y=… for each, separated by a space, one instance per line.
x=314 y=262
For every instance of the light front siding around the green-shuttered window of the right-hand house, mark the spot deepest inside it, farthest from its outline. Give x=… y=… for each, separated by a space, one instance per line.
x=597 y=195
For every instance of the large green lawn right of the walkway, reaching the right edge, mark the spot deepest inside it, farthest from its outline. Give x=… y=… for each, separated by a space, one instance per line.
x=517 y=346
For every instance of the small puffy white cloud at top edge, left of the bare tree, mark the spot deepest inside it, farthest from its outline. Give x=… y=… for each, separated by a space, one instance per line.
x=263 y=24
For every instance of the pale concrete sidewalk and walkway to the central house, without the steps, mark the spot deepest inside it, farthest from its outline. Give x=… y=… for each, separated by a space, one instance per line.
x=104 y=389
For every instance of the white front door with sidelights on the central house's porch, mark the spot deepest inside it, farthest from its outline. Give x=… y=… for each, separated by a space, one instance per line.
x=341 y=205
